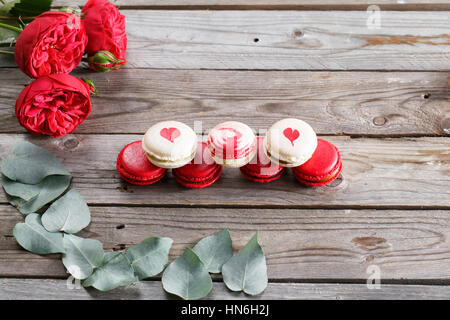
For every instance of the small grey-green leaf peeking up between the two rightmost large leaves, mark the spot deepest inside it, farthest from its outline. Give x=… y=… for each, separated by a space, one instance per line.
x=215 y=250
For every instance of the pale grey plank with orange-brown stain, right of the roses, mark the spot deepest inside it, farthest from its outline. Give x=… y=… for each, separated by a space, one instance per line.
x=287 y=40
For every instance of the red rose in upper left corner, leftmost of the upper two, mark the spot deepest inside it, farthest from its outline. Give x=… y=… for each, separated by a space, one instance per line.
x=53 y=43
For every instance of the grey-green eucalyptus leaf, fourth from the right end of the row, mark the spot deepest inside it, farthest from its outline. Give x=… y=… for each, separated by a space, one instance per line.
x=149 y=257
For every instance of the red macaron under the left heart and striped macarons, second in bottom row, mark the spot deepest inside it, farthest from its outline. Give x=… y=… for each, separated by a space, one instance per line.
x=201 y=172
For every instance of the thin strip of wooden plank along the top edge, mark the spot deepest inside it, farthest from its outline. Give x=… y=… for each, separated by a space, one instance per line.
x=279 y=4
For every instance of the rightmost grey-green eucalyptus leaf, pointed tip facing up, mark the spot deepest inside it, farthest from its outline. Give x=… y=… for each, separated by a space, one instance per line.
x=247 y=270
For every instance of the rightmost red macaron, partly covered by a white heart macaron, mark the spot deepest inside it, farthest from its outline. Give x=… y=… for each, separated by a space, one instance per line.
x=323 y=167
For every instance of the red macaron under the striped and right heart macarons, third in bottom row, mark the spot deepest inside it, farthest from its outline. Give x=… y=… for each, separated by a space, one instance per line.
x=260 y=168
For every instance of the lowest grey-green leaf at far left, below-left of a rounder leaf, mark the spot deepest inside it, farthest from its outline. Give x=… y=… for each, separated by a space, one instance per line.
x=33 y=237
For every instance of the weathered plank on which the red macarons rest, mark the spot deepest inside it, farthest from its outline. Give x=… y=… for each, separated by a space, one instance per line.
x=406 y=172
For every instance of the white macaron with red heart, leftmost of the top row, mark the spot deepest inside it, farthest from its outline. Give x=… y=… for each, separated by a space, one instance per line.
x=170 y=144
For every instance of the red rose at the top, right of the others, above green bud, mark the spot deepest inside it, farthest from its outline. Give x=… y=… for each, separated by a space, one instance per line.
x=105 y=27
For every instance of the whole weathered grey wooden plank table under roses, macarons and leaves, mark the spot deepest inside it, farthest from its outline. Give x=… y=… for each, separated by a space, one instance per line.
x=381 y=95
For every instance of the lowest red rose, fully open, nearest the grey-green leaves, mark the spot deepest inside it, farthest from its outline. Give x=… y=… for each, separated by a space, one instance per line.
x=54 y=105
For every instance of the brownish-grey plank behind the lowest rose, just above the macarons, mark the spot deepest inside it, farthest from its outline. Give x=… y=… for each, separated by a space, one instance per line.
x=354 y=103
